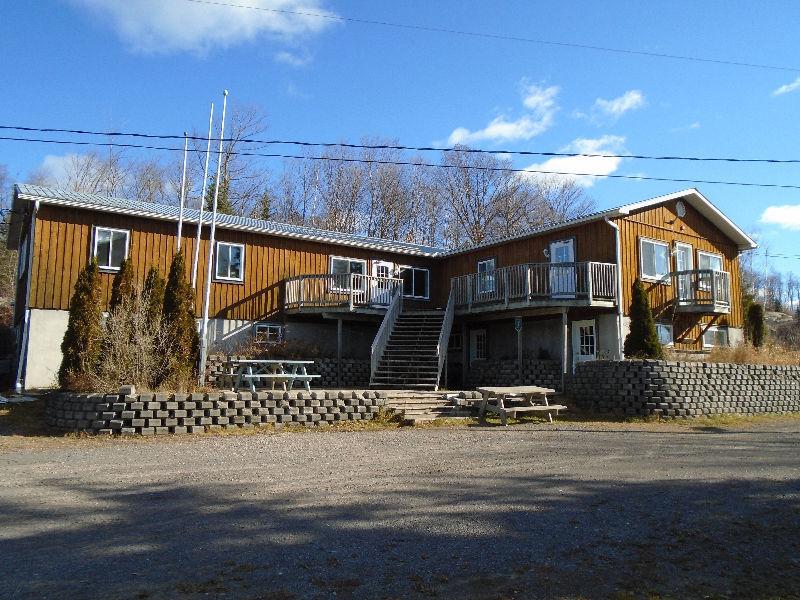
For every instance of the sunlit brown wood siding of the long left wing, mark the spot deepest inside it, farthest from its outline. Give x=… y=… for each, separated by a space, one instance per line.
x=64 y=236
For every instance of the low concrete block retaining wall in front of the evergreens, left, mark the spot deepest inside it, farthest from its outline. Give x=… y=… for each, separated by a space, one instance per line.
x=151 y=414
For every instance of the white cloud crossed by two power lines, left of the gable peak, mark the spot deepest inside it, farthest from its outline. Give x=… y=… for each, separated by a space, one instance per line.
x=585 y=165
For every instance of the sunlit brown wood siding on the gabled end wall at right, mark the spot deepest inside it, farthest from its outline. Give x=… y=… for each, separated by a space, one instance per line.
x=663 y=224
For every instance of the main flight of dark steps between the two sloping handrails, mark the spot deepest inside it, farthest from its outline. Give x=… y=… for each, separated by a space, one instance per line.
x=409 y=360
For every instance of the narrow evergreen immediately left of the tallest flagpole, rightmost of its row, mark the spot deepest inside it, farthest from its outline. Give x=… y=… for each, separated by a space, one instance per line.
x=179 y=319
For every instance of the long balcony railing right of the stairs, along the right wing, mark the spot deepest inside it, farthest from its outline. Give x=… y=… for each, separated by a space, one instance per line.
x=530 y=282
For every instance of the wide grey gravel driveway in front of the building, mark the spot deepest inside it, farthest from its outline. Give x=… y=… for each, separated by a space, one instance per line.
x=528 y=511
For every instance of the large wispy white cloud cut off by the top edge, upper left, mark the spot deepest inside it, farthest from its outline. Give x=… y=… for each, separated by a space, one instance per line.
x=160 y=26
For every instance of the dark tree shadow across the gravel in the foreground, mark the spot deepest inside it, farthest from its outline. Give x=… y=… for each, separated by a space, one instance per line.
x=481 y=537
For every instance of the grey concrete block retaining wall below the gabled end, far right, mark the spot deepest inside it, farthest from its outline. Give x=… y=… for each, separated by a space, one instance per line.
x=684 y=389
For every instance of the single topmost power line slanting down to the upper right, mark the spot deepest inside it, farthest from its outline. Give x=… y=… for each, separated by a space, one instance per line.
x=497 y=36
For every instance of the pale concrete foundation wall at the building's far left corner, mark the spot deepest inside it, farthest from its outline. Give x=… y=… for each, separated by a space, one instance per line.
x=46 y=331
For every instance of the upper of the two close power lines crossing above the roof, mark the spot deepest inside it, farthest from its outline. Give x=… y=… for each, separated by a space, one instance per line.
x=276 y=142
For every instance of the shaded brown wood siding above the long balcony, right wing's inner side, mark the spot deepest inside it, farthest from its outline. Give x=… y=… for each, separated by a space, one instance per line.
x=593 y=242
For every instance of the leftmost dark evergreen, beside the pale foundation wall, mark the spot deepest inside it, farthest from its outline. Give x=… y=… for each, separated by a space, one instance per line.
x=83 y=339
